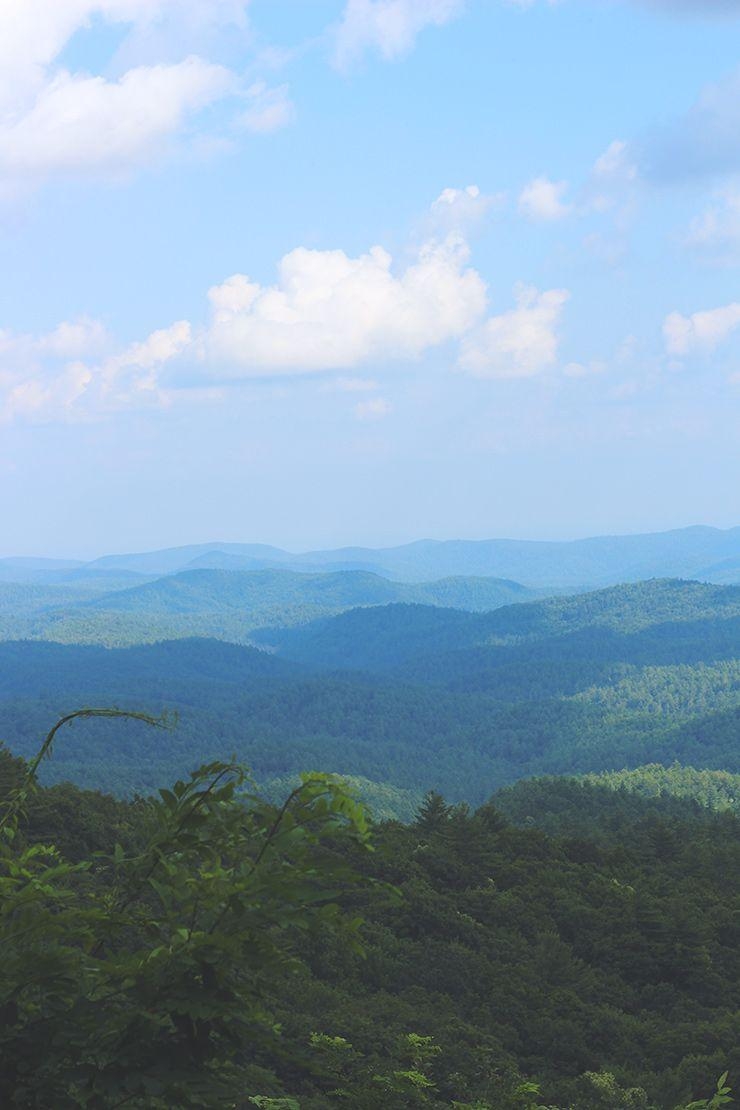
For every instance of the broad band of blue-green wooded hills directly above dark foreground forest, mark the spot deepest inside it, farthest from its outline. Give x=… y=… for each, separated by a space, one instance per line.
x=464 y=703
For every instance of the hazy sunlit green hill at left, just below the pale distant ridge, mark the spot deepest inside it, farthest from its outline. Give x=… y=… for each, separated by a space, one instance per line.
x=98 y=608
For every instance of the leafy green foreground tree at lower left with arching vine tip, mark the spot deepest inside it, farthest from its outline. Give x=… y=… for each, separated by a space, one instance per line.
x=145 y=980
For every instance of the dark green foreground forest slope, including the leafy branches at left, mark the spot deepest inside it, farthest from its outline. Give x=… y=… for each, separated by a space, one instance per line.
x=465 y=963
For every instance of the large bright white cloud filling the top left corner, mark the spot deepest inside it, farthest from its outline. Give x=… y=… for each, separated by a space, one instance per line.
x=56 y=120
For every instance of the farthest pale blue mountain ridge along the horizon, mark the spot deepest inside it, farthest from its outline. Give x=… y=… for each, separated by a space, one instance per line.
x=705 y=553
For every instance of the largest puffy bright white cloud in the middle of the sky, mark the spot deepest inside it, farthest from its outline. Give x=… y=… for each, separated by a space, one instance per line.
x=330 y=311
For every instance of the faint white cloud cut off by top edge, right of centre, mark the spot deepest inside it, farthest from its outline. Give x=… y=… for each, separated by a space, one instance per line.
x=389 y=27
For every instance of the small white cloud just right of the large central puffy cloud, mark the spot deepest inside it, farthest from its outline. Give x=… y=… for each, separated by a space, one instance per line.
x=520 y=344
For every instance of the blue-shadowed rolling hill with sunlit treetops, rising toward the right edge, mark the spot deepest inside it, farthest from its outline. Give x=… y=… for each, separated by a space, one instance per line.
x=660 y=621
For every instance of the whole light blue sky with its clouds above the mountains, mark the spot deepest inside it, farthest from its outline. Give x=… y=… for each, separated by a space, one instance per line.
x=327 y=273
